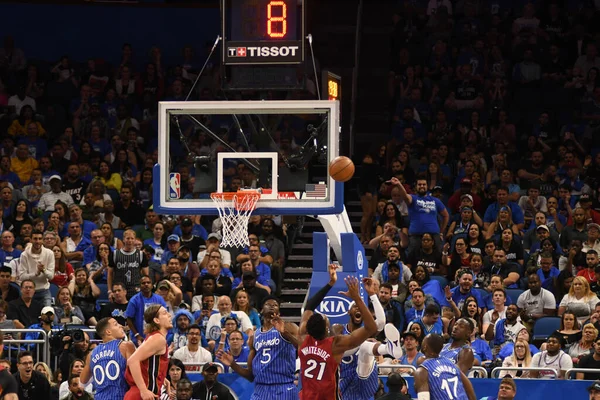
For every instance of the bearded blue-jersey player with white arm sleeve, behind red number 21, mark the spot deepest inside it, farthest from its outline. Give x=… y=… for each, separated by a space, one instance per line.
x=358 y=370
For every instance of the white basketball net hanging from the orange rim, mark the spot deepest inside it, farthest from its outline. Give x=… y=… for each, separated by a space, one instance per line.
x=234 y=210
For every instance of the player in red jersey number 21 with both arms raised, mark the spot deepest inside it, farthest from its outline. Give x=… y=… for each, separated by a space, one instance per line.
x=320 y=353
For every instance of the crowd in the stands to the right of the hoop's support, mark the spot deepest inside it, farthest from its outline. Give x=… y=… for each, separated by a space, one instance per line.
x=484 y=203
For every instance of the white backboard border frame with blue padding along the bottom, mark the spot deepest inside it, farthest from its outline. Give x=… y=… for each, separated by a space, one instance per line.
x=332 y=204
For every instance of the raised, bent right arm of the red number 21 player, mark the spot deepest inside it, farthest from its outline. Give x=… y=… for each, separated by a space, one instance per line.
x=357 y=337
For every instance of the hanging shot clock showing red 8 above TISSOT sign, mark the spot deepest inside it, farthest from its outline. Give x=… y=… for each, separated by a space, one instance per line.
x=266 y=32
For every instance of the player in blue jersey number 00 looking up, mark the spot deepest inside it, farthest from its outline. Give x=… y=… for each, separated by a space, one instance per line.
x=106 y=364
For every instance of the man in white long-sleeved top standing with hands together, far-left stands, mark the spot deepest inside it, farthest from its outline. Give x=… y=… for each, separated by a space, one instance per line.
x=37 y=264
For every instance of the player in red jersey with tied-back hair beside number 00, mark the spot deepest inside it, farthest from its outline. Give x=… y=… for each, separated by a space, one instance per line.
x=147 y=367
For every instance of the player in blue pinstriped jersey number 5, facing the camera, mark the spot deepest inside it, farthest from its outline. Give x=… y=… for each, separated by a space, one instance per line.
x=272 y=359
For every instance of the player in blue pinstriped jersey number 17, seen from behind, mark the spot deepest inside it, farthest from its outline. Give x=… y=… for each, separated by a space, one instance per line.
x=438 y=378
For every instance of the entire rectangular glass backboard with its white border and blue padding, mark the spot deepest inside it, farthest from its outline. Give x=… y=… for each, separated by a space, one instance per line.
x=282 y=147
